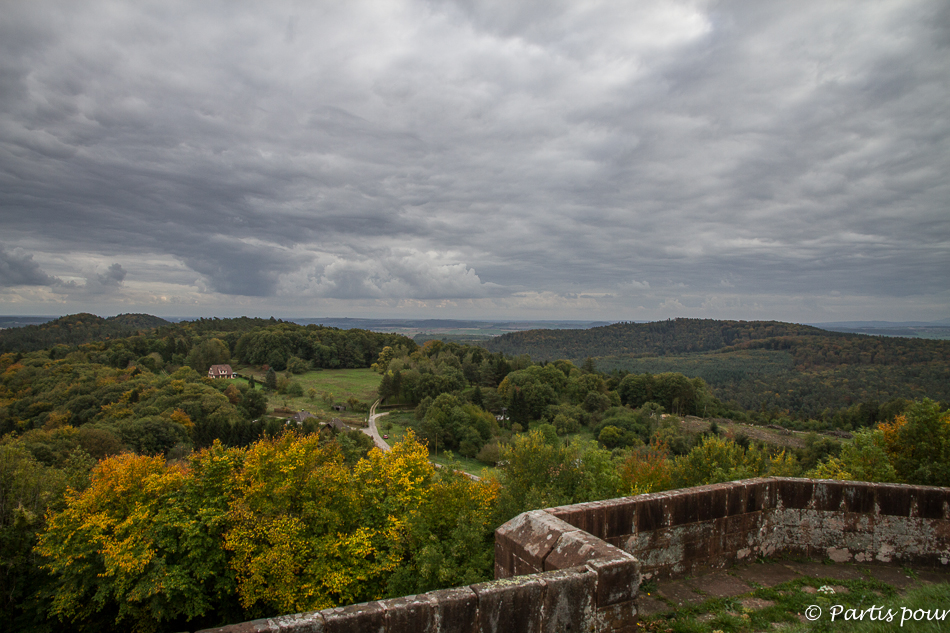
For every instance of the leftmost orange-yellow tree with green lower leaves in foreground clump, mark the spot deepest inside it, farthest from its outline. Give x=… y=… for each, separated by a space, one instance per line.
x=140 y=547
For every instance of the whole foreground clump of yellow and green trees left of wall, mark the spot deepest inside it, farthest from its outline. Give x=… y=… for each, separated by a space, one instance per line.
x=282 y=526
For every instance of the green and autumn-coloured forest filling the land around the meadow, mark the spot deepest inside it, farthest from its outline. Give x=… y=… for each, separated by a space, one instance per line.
x=136 y=493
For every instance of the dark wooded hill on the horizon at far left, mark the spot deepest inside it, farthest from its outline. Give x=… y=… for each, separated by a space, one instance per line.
x=75 y=329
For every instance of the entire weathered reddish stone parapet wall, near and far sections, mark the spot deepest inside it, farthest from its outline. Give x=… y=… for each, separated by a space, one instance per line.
x=578 y=568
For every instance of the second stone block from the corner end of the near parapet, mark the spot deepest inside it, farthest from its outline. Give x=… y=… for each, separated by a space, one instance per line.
x=509 y=605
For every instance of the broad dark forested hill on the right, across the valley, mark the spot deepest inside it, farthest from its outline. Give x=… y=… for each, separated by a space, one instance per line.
x=774 y=371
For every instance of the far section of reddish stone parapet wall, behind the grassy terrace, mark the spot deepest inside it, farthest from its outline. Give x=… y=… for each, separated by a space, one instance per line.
x=674 y=533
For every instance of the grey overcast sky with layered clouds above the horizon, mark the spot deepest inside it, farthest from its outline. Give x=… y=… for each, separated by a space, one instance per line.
x=500 y=159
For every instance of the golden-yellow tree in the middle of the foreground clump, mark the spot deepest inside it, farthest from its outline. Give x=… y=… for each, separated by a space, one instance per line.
x=295 y=503
